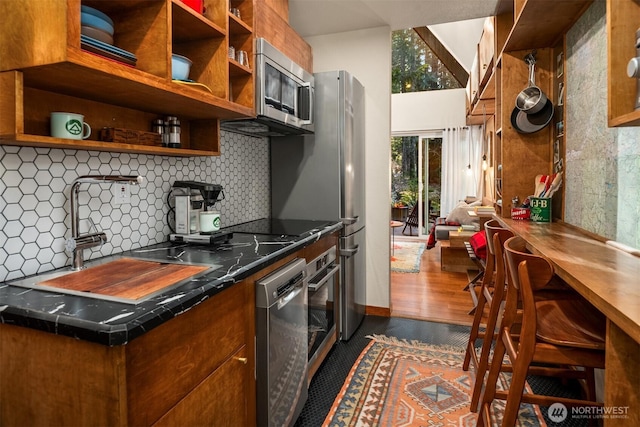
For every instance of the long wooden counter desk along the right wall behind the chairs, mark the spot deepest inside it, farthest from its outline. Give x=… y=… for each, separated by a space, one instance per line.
x=610 y=279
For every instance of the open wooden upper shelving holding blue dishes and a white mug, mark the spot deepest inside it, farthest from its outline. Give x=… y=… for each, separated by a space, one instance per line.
x=44 y=68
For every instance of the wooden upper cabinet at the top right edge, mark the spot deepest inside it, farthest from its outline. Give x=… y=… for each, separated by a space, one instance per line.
x=623 y=20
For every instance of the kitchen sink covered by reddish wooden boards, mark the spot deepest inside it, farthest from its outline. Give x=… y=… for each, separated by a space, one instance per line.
x=124 y=279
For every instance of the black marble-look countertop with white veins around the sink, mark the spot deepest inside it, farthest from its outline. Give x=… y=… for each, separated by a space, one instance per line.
x=116 y=323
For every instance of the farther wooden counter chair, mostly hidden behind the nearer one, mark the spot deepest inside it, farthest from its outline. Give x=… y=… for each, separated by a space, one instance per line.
x=491 y=295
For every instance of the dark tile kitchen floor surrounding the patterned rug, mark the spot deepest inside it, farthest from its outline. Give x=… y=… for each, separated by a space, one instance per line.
x=329 y=379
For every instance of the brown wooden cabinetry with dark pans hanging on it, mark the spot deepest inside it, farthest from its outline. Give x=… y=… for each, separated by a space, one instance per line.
x=520 y=27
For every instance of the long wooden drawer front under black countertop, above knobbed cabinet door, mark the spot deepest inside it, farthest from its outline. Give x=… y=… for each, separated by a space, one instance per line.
x=166 y=364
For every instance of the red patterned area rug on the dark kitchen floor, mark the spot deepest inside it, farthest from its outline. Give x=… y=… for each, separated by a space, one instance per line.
x=400 y=383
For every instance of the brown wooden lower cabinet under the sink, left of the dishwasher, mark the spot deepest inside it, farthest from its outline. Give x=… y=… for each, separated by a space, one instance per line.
x=192 y=370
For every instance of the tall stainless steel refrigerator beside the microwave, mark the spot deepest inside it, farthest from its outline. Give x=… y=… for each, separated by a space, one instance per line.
x=322 y=176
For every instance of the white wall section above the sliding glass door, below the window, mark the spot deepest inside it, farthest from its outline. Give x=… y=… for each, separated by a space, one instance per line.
x=420 y=111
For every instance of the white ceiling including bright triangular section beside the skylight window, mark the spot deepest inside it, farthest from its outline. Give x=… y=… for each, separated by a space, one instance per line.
x=319 y=17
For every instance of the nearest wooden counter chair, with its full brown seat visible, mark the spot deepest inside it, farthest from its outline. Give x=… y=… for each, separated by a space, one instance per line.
x=559 y=334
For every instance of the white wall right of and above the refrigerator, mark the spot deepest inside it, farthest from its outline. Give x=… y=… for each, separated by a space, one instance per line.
x=367 y=55
